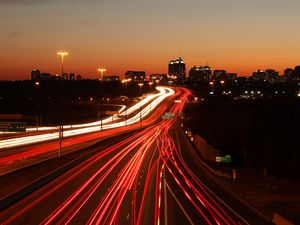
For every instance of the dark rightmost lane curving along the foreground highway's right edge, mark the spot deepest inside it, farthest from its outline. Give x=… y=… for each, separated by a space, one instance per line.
x=190 y=158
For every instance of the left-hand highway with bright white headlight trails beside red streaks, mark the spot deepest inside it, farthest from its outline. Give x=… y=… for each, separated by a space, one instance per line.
x=16 y=153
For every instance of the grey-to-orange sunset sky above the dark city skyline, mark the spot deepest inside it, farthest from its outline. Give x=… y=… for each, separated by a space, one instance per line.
x=237 y=35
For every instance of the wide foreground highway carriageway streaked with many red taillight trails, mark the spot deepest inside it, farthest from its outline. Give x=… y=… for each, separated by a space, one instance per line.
x=142 y=179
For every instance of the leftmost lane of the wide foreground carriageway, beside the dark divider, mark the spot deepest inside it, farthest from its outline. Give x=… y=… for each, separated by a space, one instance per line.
x=52 y=195
